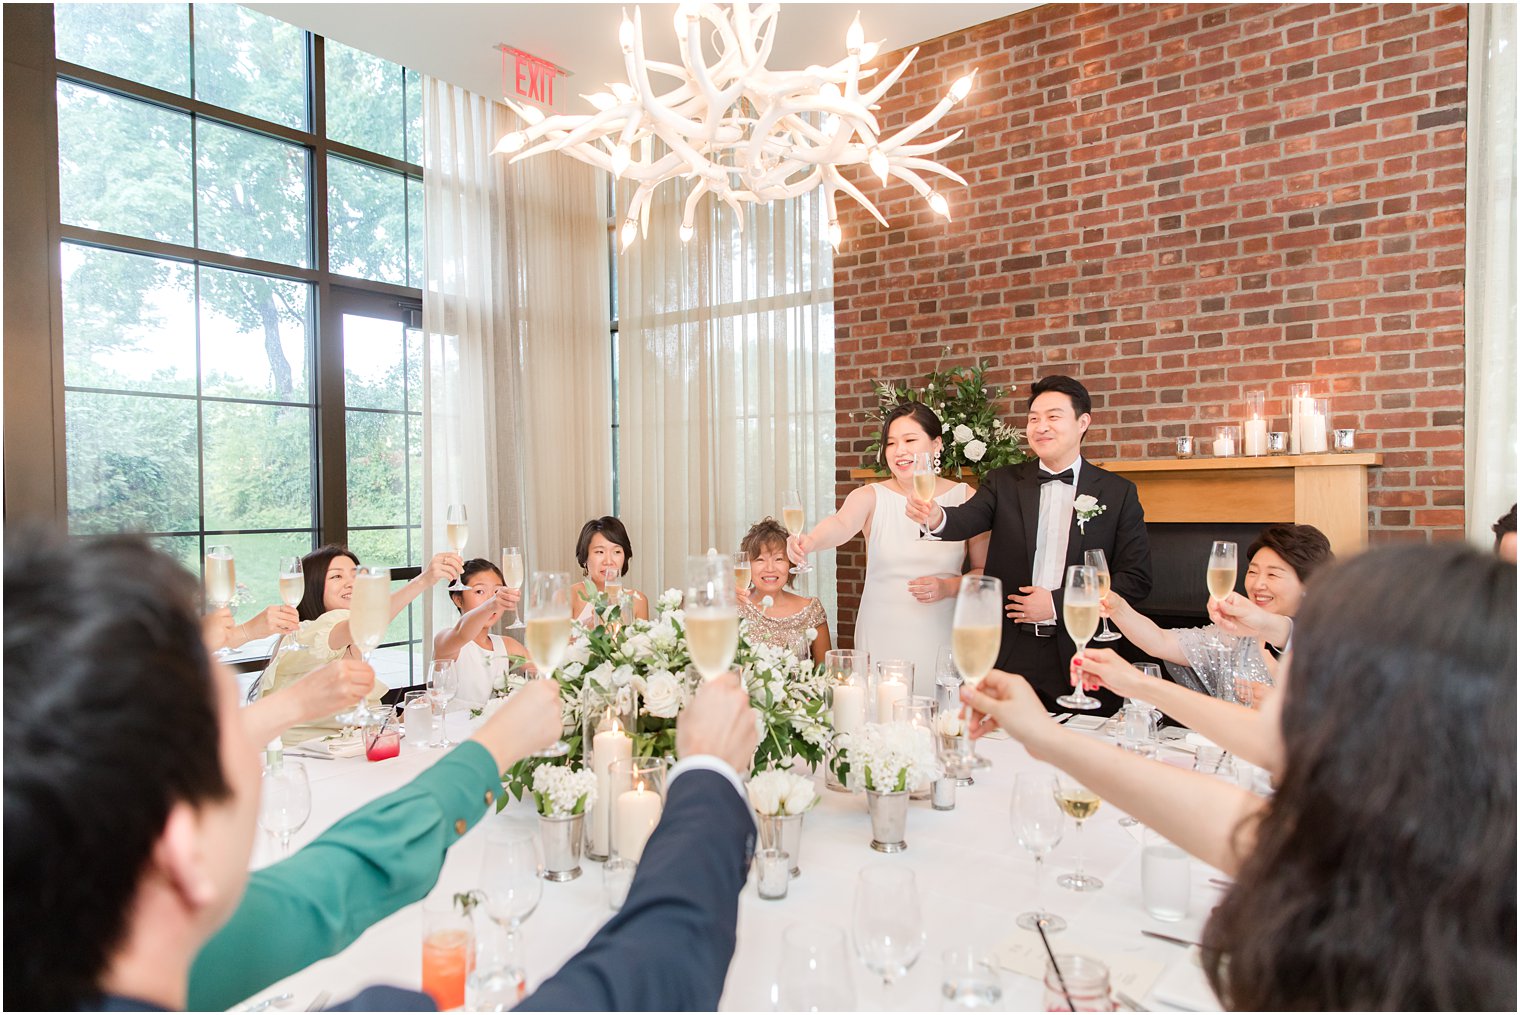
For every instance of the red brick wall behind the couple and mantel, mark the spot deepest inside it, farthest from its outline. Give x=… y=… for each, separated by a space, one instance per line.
x=1179 y=204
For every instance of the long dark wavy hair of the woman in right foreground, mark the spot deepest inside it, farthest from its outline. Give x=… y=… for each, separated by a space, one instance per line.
x=1384 y=876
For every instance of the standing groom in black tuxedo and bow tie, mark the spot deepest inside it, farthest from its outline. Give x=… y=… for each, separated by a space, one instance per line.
x=1042 y=522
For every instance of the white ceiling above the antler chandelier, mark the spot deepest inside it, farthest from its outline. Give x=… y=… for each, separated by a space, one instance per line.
x=457 y=42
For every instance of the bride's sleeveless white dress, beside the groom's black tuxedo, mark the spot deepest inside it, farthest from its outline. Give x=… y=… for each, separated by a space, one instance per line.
x=891 y=624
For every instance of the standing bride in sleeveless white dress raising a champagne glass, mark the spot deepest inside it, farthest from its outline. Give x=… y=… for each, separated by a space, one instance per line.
x=908 y=604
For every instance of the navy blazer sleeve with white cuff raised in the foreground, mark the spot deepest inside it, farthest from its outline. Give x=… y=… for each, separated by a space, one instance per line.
x=670 y=947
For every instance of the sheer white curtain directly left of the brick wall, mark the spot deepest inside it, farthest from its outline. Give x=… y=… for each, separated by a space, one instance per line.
x=726 y=382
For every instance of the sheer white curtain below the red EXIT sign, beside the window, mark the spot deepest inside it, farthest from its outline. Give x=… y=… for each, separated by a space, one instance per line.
x=518 y=365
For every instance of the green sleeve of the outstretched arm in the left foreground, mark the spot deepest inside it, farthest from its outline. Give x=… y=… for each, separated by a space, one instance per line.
x=367 y=867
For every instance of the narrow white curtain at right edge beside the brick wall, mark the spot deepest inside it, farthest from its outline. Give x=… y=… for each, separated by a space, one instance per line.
x=1490 y=455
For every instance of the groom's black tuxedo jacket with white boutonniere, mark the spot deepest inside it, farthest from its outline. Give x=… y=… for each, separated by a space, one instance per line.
x=1009 y=507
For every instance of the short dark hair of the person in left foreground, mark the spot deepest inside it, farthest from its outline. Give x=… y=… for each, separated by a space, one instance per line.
x=110 y=723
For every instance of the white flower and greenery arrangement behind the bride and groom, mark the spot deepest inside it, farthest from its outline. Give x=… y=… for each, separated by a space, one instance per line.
x=975 y=434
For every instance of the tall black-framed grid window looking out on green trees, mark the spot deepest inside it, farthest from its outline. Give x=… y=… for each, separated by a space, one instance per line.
x=241 y=210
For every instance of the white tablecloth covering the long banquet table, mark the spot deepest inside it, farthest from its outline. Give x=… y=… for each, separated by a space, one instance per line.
x=972 y=876
